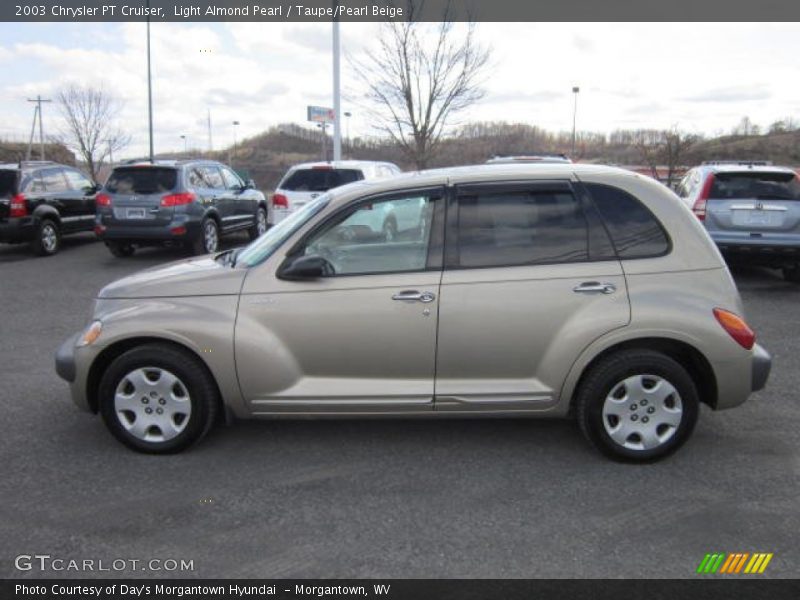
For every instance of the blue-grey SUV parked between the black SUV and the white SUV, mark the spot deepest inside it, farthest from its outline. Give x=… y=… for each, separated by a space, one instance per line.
x=187 y=202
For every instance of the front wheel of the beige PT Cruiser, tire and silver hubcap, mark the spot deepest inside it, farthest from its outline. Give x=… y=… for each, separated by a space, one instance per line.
x=158 y=399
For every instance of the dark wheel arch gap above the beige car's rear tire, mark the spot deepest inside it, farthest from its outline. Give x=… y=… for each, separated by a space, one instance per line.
x=684 y=353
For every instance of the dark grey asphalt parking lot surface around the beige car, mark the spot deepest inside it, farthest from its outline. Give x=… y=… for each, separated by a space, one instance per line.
x=461 y=498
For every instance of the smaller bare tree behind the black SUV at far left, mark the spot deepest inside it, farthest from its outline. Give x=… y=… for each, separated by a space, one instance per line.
x=91 y=132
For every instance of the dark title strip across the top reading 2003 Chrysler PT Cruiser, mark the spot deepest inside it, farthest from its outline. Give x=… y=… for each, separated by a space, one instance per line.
x=379 y=10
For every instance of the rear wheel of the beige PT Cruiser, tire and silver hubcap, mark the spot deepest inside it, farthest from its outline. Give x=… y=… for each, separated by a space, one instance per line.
x=637 y=405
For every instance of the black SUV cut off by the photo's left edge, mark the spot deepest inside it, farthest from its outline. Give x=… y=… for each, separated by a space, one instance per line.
x=41 y=201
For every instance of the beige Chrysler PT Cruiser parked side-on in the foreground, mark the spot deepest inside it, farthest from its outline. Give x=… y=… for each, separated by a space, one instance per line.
x=548 y=290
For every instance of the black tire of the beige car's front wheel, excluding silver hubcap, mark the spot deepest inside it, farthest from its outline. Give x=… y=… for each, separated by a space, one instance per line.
x=197 y=381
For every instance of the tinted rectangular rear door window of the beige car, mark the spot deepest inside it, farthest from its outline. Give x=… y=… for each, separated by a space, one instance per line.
x=520 y=227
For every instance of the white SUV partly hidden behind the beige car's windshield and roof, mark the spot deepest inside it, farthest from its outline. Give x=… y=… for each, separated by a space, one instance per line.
x=304 y=182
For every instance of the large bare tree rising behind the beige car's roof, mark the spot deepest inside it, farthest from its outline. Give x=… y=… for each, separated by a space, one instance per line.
x=420 y=77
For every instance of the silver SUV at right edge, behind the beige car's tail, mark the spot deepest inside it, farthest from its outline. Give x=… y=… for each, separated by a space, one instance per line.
x=750 y=209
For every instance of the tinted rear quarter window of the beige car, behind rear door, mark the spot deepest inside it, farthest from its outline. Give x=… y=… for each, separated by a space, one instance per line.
x=635 y=231
